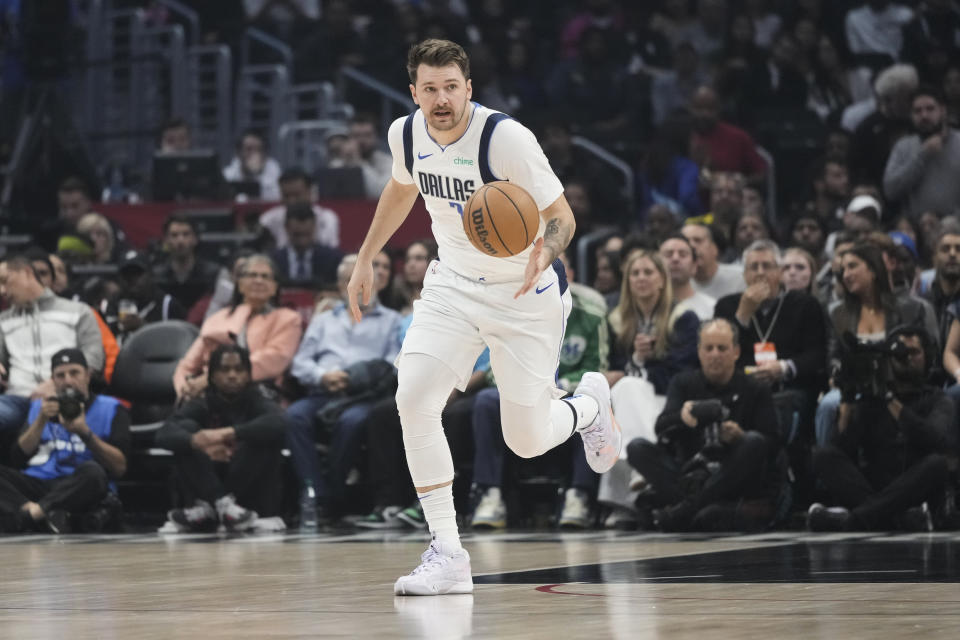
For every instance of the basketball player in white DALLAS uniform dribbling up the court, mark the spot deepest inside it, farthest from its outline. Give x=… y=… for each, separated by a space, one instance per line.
x=517 y=306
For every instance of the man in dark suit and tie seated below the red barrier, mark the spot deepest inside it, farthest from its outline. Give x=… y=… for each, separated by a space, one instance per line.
x=304 y=262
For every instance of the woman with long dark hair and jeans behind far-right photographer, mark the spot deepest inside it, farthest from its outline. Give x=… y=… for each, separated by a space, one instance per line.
x=869 y=311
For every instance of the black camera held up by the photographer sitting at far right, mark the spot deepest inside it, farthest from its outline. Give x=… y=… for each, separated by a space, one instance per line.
x=865 y=371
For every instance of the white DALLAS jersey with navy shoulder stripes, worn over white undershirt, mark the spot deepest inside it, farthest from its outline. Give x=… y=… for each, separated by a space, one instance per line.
x=494 y=147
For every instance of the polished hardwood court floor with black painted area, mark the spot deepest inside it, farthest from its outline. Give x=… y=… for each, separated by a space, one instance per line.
x=594 y=585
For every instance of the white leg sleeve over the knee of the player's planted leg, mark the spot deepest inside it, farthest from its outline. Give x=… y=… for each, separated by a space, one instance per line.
x=423 y=386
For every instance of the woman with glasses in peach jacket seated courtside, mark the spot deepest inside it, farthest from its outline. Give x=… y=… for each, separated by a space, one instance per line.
x=253 y=321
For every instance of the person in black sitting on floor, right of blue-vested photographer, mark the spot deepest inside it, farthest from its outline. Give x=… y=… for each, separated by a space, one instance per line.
x=226 y=444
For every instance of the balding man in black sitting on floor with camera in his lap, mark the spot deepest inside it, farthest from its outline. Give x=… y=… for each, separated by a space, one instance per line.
x=716 y=439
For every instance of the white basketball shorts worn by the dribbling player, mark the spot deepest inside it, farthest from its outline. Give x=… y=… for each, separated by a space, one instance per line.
x=455 y=317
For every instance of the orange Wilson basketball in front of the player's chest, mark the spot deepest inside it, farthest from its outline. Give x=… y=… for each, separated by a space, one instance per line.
x=501 y=219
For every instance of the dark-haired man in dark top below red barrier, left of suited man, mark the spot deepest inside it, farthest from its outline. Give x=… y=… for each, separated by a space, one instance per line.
x=182 y=273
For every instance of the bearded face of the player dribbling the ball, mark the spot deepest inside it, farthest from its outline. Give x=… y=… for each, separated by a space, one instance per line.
x=443 y=95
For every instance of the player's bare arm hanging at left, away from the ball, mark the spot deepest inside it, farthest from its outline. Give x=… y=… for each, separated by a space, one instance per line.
x=393 y=208
